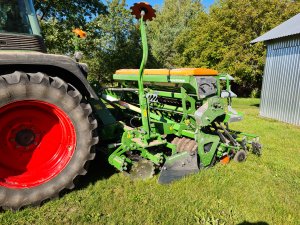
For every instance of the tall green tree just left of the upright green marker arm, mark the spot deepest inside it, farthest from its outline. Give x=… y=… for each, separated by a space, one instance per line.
x=114 y=42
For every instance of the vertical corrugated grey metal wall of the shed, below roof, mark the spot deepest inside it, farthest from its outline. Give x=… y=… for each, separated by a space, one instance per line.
x=281 y=85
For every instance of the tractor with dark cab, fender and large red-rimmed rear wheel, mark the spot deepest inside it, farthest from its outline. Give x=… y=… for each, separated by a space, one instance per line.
x=47 y=130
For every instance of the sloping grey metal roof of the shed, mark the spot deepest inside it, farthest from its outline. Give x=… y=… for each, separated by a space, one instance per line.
x=287 y=28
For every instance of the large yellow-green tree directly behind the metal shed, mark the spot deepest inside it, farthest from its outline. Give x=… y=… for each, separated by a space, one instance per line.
x=221 y=40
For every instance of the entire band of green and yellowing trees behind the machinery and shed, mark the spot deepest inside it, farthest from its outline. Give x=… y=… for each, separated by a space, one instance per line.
x=184 y=34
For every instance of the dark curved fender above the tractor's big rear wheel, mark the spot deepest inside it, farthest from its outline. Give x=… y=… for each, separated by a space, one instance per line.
x=53 y=65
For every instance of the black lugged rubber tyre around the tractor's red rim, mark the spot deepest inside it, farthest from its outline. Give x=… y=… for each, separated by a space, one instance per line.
x=38 y=87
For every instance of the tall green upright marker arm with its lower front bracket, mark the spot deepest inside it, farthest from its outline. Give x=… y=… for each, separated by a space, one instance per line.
x=144 y=137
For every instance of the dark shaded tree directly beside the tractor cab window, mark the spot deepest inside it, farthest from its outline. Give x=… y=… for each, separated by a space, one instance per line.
x=59 y=18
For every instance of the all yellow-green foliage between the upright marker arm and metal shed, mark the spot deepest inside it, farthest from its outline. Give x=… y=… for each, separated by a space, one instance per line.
x=219 y=39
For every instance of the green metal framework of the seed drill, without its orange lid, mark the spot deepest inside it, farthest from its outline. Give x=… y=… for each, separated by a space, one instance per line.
x=194 y=117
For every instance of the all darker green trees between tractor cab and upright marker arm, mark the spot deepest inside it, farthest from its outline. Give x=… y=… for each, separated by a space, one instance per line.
x=113 y=40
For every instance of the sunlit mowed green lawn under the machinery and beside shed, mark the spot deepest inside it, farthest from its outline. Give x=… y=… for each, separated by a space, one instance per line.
x=265 y=189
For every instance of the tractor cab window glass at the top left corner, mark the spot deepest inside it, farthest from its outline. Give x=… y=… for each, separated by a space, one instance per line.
x=18 y=16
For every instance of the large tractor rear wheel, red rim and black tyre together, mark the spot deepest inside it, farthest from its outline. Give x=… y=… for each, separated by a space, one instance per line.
x=47 y=134
